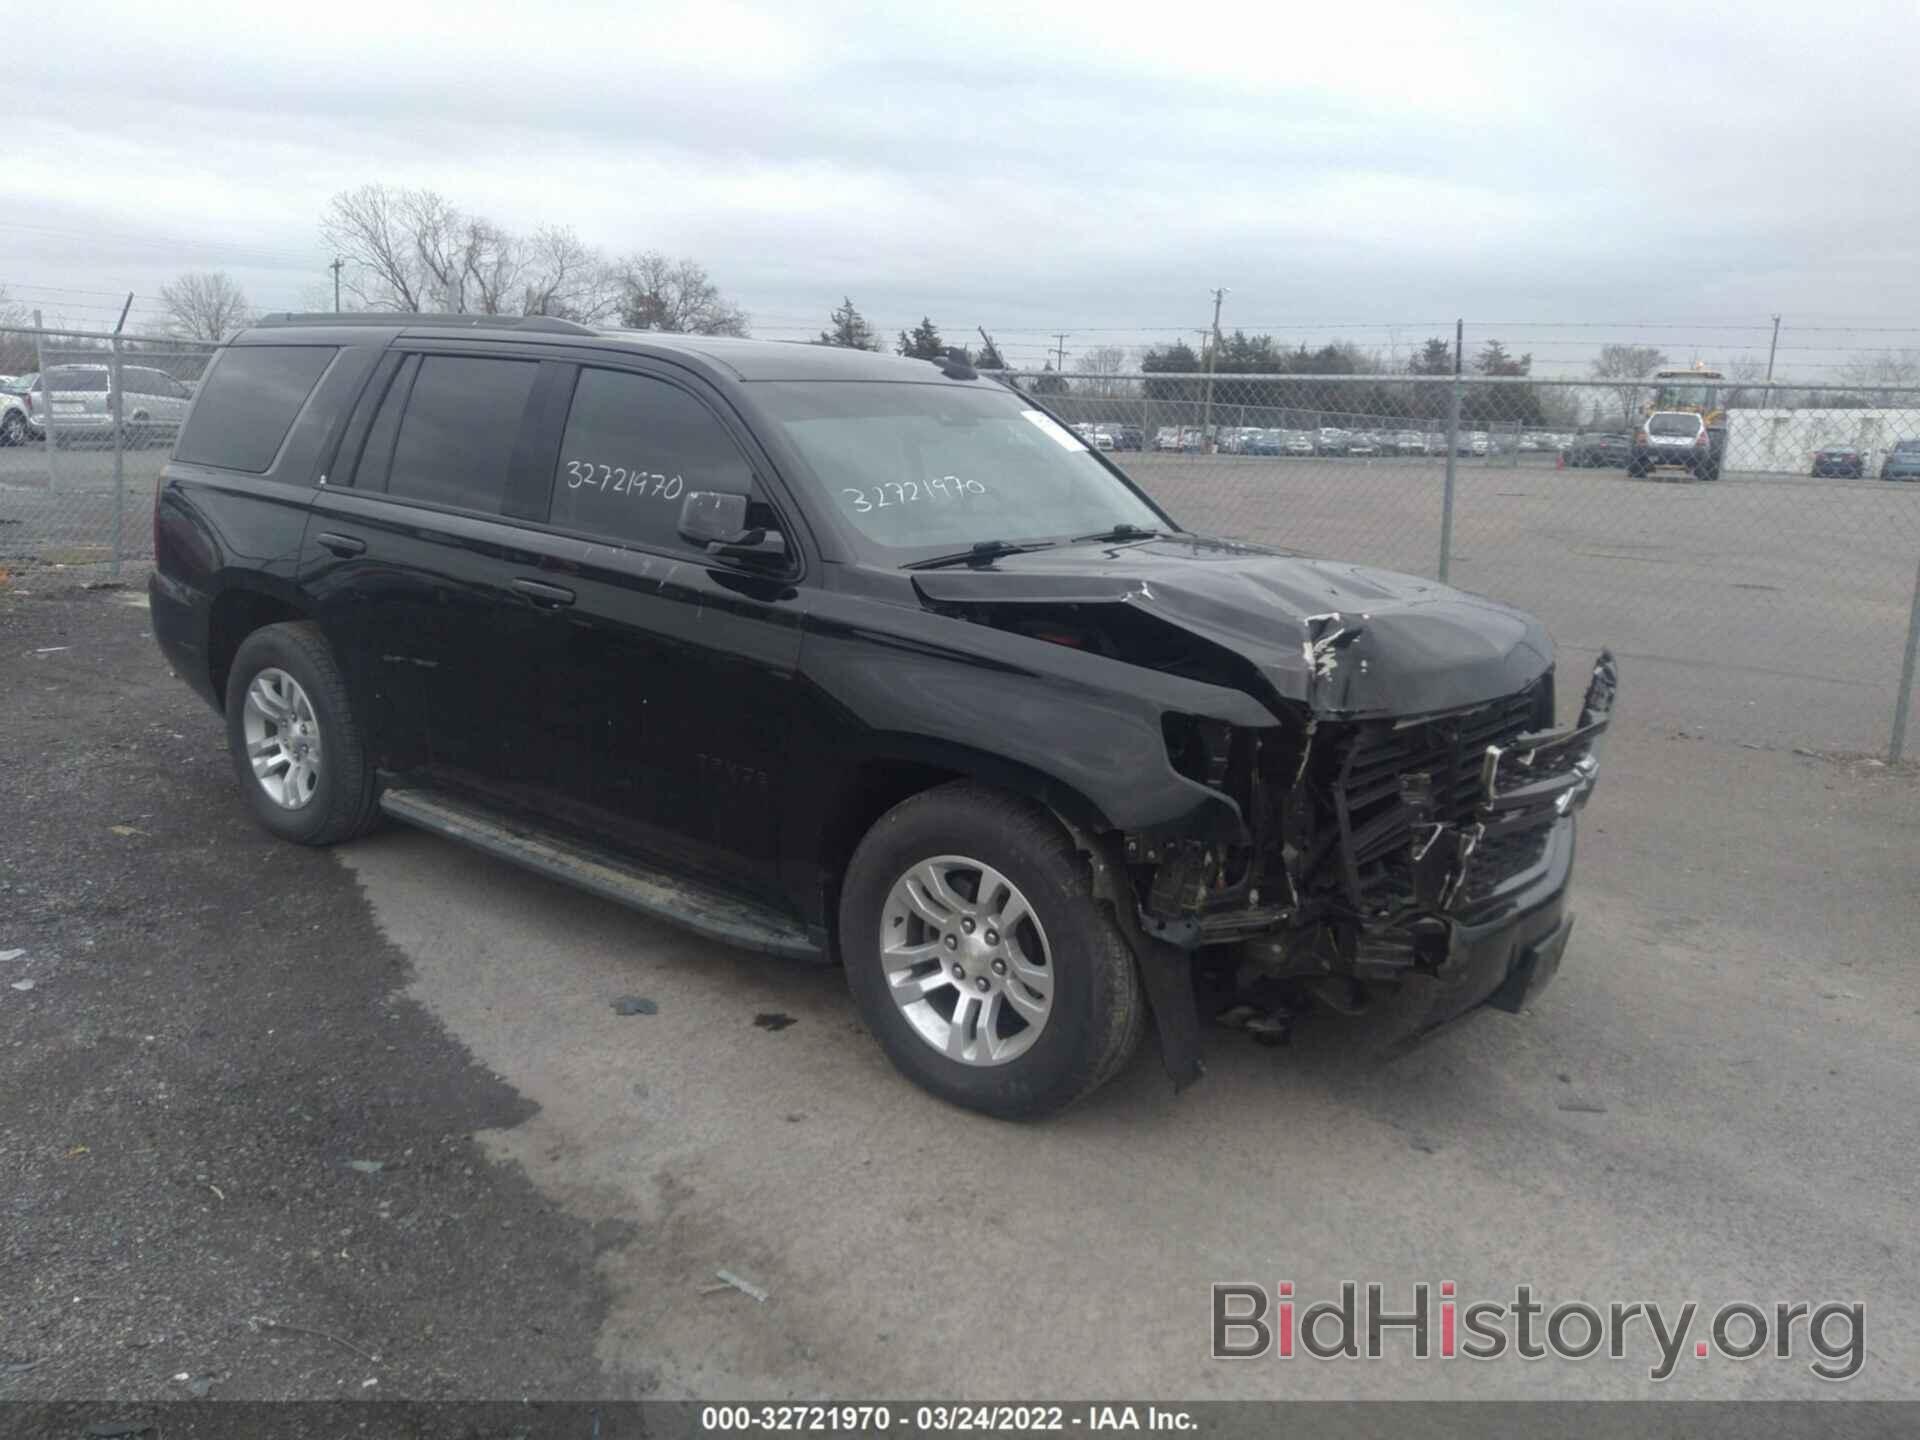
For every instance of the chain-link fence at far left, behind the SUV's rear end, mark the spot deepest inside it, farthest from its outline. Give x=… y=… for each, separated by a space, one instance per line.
x=87 y=420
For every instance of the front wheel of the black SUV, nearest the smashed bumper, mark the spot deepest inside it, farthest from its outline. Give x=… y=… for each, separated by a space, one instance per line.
x=980 y=957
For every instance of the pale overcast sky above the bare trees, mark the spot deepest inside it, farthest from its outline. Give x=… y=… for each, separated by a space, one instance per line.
x=1368 y=172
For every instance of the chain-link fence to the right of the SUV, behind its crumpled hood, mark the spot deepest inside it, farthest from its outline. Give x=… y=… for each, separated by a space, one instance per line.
x=1754 y=554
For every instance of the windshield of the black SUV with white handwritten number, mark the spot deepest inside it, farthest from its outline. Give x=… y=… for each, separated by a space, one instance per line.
x=926 y=466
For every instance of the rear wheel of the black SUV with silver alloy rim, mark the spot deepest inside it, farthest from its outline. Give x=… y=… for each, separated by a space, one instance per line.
x=297 y=748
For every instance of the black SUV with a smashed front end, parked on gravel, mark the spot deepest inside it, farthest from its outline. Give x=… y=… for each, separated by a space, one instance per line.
x=871 y=660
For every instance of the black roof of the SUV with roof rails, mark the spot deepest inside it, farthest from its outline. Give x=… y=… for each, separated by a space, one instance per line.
x=742 y=360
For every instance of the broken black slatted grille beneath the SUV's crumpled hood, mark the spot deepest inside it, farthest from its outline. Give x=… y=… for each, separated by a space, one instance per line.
x=1378 y=827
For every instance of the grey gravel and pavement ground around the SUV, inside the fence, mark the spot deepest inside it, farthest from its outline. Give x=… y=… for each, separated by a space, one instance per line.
x=1714 y=1103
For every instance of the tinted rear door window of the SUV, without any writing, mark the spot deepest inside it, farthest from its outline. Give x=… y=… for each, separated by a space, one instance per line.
x=456 y=441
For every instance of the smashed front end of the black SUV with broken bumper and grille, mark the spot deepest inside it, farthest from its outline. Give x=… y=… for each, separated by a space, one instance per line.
x=1418 y=861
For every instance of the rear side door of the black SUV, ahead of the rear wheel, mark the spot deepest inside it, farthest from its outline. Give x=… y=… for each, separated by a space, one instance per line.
x=412 y=556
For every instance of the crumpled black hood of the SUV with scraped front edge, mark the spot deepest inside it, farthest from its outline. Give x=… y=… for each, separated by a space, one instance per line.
x=1401 y=644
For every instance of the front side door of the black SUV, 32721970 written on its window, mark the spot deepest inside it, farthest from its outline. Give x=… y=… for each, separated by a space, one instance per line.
x=667 y=694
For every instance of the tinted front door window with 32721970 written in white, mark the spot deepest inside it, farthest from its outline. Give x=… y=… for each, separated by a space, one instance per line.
x=635 y=448
